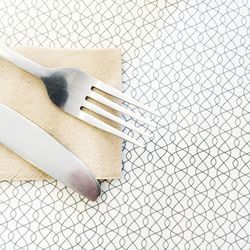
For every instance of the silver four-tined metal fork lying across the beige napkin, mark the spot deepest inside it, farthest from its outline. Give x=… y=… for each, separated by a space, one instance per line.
x=70 y=90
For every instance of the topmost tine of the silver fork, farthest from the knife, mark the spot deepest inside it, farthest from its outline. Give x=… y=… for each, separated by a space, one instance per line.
x=118 y=94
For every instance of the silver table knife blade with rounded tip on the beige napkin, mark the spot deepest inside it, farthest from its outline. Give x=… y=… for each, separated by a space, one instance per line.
x=40 y=149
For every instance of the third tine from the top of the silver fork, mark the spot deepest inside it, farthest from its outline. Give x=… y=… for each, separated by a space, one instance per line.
x=112 y=117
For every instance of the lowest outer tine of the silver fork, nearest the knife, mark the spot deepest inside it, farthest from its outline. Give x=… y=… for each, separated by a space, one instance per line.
x=102 y=125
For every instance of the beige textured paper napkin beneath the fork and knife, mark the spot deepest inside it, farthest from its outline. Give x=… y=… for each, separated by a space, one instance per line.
x=27 y=95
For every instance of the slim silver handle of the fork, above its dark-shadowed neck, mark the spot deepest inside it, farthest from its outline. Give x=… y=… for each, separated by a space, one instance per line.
x=23 y=62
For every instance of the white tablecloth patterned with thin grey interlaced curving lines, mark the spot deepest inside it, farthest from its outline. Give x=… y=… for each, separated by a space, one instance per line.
x=190 y=188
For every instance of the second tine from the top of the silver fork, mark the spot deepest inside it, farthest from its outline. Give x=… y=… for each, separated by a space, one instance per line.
x=119 y=108
